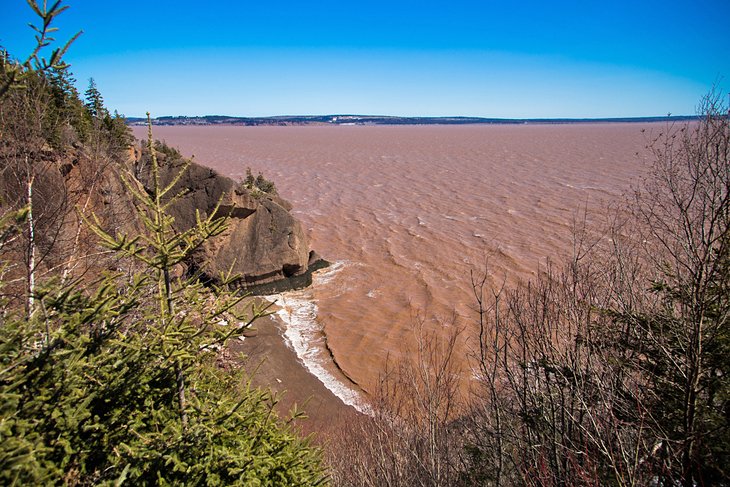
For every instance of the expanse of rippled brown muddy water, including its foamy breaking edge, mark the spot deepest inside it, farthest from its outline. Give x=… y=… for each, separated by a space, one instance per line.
x=406 y=212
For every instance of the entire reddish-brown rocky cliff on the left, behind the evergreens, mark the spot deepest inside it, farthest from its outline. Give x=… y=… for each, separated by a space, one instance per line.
x=263 y=244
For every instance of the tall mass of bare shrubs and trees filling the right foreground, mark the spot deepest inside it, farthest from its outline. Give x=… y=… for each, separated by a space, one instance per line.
x=613 y=369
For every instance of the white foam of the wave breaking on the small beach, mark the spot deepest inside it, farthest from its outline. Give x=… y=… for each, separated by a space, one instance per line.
x=302 y=333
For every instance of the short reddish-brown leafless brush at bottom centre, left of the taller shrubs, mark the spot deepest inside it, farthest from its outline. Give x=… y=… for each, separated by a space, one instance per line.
x=411 y=438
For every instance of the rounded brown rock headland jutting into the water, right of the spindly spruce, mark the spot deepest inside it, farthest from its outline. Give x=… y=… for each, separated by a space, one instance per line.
x=264 y=244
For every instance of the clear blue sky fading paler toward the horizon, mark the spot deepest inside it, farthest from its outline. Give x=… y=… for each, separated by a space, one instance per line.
x=533 y=58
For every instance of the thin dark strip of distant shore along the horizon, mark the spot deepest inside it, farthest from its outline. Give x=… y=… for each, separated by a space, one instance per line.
x=388 y=120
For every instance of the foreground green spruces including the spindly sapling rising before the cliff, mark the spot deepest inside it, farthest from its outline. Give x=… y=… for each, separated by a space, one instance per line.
x=117 y=381
